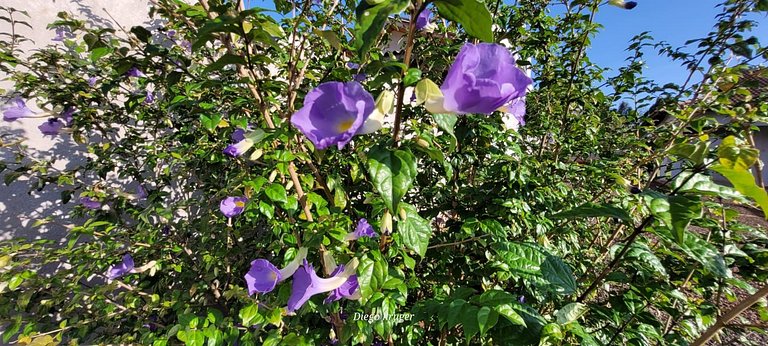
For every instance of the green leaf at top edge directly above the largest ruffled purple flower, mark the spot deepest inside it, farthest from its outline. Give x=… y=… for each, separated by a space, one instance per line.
x=471 y=14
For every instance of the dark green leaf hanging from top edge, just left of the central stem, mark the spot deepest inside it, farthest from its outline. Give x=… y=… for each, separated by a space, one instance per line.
x=370 y=20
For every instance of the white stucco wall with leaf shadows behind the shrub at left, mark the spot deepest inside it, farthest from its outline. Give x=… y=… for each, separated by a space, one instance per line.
x=19 y=210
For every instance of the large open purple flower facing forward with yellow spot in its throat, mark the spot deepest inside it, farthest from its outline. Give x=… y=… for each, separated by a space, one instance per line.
x=333 y=112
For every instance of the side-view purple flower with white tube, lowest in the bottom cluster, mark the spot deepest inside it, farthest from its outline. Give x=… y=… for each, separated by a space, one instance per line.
x=306 y=283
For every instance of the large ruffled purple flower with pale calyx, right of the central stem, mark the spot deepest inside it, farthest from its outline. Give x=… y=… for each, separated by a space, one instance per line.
x=482 y=79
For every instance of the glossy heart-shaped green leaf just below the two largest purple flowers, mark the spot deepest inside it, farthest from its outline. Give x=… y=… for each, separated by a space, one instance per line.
x=392 y=173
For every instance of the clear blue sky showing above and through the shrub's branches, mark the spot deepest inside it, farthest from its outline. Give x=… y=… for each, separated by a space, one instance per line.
x=674 y=21
